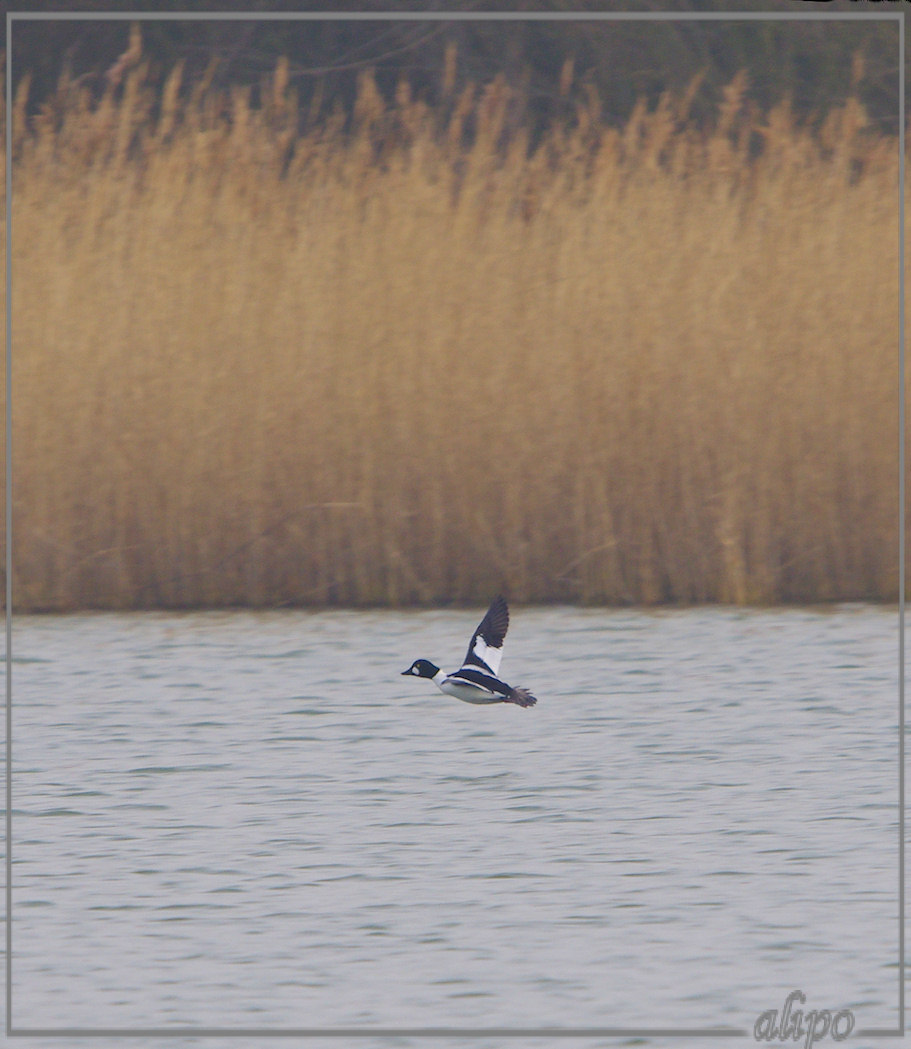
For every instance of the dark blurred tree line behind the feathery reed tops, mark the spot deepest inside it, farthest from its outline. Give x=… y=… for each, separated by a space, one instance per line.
x=810 y=62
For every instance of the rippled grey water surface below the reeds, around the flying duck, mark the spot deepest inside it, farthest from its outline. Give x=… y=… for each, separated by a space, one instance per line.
x=253 y=820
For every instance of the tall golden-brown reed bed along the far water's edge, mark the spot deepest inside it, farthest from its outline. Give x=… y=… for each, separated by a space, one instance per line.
x=265 y=358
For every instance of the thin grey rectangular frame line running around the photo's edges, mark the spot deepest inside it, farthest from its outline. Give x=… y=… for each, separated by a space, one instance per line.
x=414 y=16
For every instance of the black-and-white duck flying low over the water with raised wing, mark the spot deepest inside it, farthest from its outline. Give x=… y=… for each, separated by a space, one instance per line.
x=476 y=681
